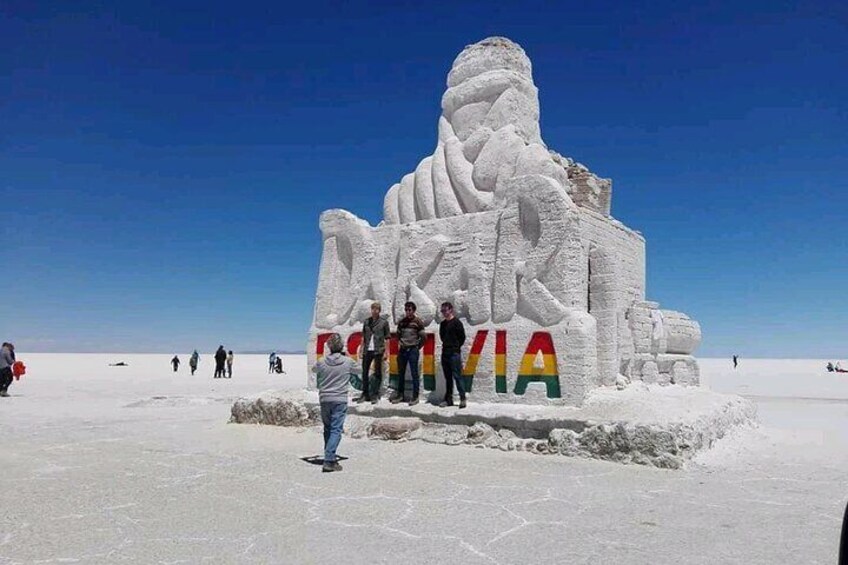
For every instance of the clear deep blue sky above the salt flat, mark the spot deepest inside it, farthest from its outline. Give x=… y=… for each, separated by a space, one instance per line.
x=163 y=164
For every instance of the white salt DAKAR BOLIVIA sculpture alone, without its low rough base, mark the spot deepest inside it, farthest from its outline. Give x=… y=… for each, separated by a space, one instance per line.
x=520 y=239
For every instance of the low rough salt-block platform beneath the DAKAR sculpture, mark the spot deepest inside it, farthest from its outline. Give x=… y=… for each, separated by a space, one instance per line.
x=660 y=426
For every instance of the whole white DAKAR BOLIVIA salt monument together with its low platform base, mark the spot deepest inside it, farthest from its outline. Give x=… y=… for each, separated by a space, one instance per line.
x=564 y=354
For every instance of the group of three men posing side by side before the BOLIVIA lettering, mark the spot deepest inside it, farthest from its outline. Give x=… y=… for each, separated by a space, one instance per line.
x=411 y=337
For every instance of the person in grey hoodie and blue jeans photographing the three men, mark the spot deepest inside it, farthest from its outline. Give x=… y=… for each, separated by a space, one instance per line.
x=333 y=373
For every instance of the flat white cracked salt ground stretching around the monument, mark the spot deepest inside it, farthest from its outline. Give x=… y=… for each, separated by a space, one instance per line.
x=98 y=469
